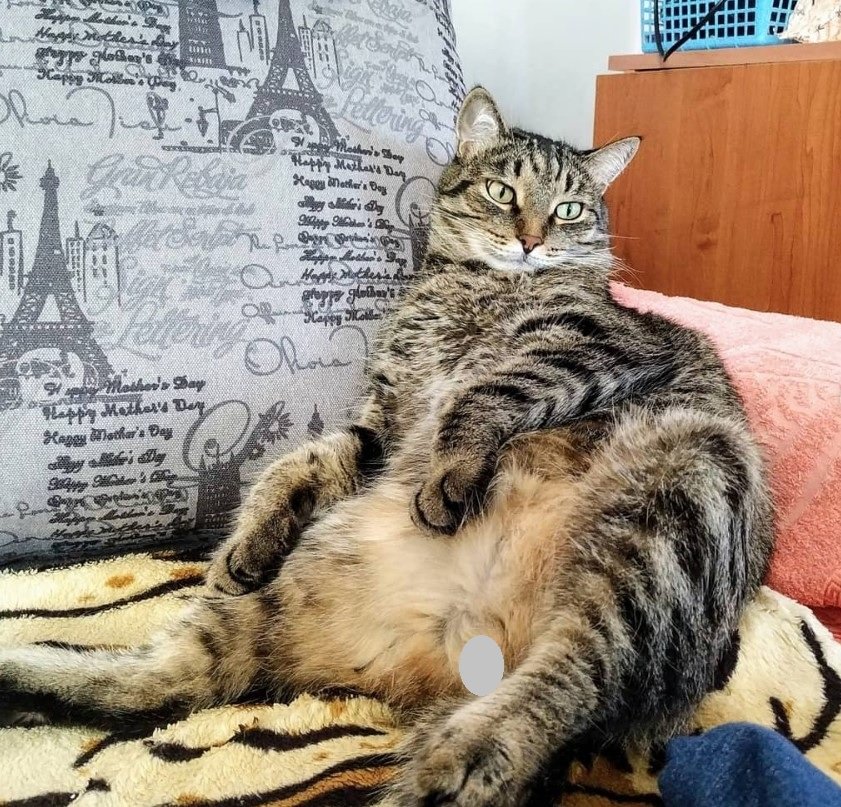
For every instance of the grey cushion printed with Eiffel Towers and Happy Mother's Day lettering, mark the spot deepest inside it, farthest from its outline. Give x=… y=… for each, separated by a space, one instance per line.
x=205 y=207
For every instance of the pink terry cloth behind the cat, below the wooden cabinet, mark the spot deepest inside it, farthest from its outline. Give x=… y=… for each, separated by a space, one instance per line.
x=788 y=370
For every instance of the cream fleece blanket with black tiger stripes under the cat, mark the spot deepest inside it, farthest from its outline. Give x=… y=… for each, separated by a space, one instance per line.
x=324 y=751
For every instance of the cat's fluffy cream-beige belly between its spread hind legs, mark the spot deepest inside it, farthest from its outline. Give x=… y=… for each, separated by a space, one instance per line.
x=375 y=604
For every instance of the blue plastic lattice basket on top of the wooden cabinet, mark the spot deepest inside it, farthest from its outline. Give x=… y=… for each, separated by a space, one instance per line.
x=738 y=24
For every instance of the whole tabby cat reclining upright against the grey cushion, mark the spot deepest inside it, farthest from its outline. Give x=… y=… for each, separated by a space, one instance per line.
x=533 y=462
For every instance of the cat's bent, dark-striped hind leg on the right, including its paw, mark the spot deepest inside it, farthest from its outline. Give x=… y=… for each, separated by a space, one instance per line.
x=669 y=539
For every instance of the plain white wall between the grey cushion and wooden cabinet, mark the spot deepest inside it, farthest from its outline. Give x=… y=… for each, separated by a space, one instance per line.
x=540 y=58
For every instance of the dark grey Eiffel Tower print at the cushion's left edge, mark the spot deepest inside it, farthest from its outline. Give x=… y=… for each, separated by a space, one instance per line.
x=48 y=317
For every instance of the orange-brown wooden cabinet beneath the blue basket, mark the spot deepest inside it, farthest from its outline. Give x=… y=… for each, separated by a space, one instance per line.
x=735 y=195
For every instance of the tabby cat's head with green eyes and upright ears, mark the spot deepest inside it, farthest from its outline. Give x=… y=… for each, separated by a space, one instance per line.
x=520 y=202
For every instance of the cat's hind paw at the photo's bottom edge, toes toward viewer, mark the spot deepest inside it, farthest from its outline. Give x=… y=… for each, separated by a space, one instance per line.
x=463 y=763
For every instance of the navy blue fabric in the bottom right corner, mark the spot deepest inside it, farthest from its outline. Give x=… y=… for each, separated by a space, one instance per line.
x=742 y=765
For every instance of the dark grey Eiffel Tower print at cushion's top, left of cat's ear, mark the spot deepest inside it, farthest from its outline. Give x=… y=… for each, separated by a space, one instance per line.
x=288 y=88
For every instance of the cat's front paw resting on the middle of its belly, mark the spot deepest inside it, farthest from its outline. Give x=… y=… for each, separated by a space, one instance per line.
x=454 y=491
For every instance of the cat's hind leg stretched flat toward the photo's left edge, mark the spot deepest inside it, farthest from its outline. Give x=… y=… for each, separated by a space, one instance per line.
x=211 y=655
